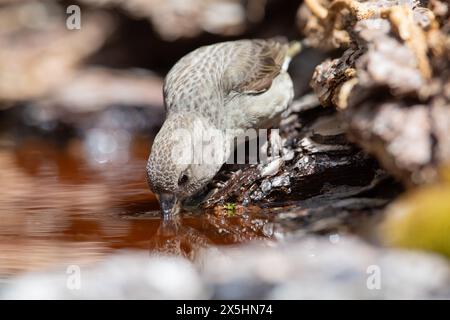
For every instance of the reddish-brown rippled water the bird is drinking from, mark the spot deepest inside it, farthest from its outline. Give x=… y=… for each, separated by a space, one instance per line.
x=58 y=207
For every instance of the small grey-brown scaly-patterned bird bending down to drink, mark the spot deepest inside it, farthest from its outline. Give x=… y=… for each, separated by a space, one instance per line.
x=225 y=87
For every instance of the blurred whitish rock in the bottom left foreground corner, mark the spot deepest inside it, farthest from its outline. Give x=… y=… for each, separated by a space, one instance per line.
x=123 y=276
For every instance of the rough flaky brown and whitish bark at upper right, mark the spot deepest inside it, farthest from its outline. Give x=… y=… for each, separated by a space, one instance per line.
x=392 y=81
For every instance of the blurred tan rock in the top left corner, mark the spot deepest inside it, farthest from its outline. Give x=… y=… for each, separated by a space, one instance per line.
x=38 y=53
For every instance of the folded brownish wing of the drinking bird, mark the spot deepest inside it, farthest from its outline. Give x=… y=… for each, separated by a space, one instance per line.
x=256 y=64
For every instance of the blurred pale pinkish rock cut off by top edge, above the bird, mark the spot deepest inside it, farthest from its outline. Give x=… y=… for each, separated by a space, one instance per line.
x=179 y=19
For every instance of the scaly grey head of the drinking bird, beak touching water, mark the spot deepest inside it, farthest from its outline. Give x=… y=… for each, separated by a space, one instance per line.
x=180 y=163
